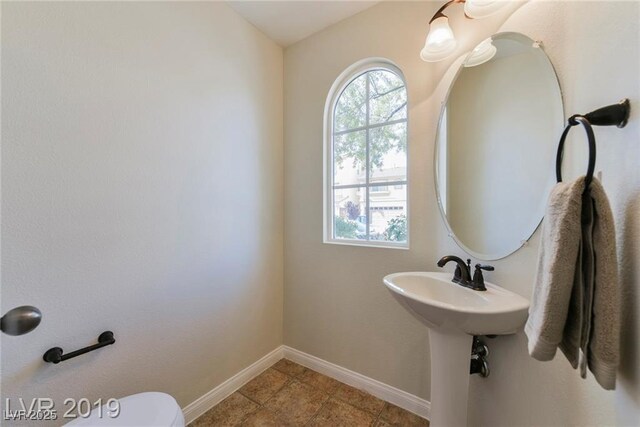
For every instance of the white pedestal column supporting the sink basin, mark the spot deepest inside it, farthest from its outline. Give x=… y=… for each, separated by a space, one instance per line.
x=450 y=361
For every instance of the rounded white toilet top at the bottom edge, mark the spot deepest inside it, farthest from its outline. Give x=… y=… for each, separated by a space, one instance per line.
x=150 y=409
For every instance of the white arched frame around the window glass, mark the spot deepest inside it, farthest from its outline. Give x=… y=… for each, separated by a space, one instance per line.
x=338 y=86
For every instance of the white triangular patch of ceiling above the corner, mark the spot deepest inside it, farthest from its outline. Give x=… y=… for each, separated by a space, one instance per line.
x=287 y=22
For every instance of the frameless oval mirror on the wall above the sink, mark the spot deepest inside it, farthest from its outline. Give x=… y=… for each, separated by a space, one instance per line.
x=495 y=145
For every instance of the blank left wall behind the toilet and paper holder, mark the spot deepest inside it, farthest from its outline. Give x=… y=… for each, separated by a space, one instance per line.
x=142 y=179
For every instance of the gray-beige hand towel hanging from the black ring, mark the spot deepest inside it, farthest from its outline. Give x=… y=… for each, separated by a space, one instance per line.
x=575 y=302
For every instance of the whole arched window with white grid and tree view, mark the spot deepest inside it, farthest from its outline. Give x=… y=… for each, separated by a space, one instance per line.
x=366 y=157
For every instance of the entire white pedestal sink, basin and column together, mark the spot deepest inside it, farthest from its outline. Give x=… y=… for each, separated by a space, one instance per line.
x=454 y=314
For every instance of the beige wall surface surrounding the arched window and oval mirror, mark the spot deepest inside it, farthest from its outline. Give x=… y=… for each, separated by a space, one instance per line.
x=336 y=306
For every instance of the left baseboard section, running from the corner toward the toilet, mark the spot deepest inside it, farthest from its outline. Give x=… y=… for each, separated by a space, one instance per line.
x=224 y=390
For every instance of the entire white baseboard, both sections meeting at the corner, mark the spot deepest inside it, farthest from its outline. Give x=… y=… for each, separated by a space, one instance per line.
x=381 y=390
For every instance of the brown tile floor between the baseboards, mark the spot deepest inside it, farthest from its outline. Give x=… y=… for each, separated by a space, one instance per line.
x=288 y=394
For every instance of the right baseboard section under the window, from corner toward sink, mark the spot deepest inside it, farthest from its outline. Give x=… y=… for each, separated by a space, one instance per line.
x=379 y=389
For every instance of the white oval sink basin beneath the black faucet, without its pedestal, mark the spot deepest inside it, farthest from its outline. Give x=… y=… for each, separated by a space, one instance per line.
x=442 y=304
